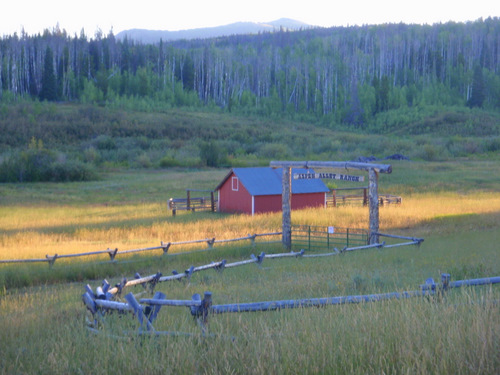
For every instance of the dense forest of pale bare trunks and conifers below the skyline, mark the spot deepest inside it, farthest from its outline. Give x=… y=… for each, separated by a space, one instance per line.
x=339 y=75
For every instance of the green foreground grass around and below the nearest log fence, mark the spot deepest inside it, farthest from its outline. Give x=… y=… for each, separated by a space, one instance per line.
x=44 y=327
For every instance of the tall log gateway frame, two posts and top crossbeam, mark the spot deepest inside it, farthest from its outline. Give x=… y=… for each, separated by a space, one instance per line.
x=372 y=169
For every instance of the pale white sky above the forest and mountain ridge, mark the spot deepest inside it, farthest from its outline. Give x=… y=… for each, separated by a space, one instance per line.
x=36 y=15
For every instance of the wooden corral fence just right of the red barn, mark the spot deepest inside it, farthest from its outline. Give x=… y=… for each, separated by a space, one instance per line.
x=357 y=195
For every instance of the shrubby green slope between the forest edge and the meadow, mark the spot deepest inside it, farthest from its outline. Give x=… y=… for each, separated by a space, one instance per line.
x=74 y=141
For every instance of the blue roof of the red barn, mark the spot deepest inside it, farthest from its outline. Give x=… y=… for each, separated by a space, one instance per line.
x=267 y=181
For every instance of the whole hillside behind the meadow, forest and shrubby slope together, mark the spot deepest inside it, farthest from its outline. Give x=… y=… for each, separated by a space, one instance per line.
x=73 y=105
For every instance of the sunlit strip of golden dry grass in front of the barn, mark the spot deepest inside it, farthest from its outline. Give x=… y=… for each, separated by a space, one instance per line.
x=33 y=232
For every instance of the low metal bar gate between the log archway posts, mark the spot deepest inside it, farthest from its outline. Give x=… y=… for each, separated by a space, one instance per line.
x=312 y=238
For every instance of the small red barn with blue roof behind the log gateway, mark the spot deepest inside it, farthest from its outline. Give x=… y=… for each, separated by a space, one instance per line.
x=259 y=190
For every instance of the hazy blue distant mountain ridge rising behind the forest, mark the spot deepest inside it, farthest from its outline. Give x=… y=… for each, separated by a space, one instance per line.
x=154 y=36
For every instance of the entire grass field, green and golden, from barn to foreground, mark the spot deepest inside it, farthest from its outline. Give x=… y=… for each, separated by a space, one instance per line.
x=455 y=206
